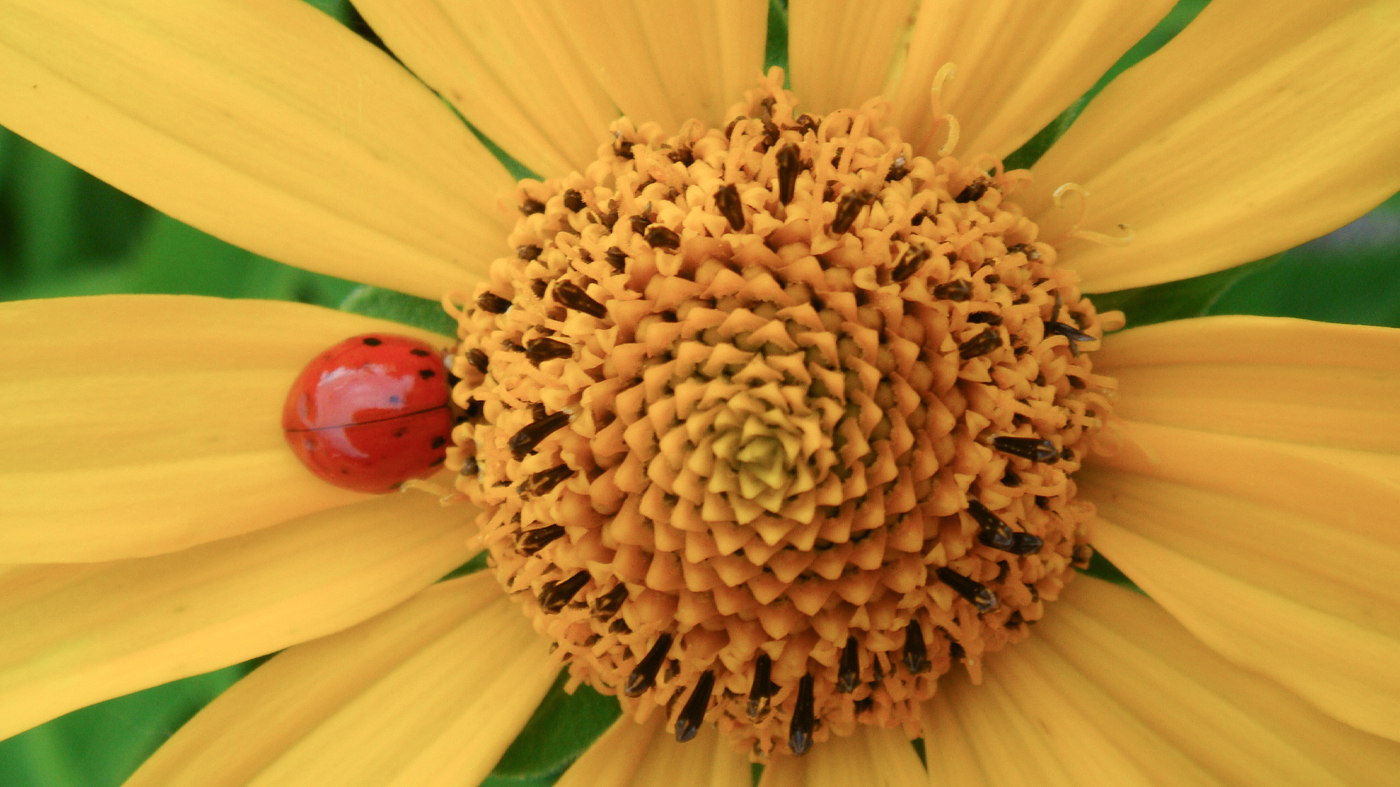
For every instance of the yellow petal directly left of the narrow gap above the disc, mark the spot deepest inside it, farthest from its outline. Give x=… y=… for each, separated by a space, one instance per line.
x=670 y=62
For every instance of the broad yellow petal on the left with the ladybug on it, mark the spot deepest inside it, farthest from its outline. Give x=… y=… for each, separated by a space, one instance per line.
x=138 y=425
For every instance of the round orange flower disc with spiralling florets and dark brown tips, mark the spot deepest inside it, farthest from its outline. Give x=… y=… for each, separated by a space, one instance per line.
x=773 y=424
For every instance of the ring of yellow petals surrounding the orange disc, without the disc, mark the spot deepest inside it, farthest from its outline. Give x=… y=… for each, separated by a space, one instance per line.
x=156 y=527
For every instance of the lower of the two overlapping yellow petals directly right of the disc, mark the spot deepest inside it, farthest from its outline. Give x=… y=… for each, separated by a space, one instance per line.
x=1280 y=557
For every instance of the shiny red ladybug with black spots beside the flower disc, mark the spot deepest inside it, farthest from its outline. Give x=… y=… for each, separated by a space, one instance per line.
x=372 y=412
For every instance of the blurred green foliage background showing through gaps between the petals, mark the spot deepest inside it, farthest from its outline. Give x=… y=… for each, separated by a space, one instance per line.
x=64 y=233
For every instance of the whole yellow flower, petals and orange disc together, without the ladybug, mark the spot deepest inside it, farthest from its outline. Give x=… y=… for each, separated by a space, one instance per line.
x=804 y=333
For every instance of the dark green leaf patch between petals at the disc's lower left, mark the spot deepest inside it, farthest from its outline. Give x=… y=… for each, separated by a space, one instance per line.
x=563 y=726
